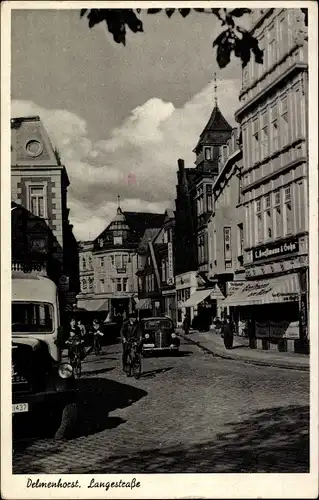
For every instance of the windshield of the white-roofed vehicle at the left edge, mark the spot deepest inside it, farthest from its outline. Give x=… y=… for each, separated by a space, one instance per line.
x=32 y=317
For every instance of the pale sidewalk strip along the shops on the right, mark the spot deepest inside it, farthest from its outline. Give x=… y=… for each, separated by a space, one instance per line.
x=214 y=344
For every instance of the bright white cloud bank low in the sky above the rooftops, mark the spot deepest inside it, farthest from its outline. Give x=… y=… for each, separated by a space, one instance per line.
x=139 y=158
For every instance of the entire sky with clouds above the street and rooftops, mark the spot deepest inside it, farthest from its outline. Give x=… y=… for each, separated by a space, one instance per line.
x=120 y=116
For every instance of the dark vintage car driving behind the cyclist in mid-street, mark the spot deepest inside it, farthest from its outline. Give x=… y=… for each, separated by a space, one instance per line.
x=158 y=334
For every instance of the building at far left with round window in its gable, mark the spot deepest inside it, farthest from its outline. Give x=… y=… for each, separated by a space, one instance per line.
x=39 y=185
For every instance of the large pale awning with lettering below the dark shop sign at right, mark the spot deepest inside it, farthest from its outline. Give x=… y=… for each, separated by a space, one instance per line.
x=280 y=289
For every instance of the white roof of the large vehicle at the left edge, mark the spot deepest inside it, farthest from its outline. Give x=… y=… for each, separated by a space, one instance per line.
x=30 y=287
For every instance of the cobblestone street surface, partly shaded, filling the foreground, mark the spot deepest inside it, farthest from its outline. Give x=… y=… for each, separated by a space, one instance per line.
x=188 y=413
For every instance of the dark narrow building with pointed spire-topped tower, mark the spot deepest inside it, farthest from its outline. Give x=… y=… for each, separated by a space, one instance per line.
x=194 y=206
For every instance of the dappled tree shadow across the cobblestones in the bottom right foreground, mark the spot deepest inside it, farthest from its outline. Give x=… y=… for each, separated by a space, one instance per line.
x=271 y=441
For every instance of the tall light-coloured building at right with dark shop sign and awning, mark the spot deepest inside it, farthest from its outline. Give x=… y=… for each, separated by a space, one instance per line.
x=273 y=119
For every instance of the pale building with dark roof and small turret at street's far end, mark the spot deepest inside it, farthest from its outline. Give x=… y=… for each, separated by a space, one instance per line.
x=108 y=265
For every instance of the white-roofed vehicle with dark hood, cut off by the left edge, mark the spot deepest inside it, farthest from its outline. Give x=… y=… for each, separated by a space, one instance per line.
x=40 y=382
